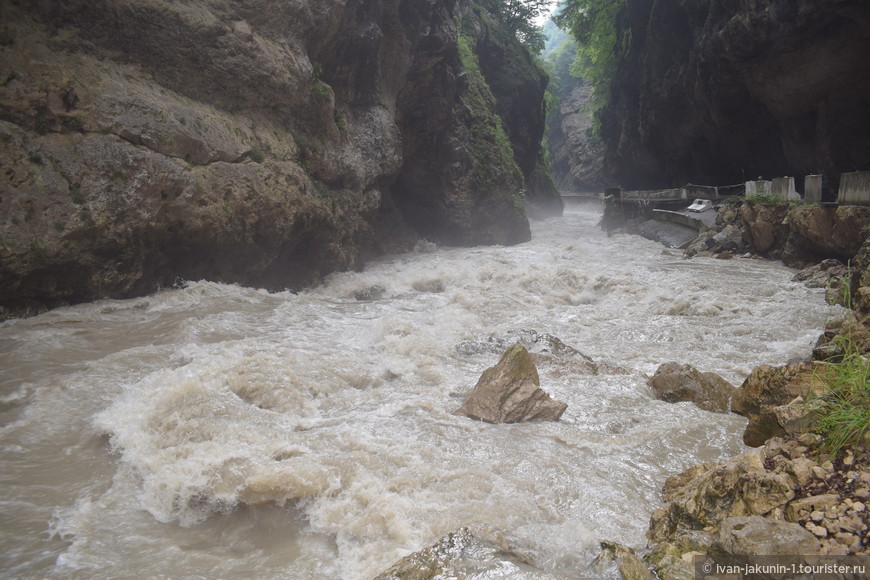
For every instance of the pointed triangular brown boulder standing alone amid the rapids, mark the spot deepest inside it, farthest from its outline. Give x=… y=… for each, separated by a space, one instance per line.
x=510 y=392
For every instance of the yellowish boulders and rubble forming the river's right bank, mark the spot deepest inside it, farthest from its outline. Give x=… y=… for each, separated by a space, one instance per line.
x=792 y=495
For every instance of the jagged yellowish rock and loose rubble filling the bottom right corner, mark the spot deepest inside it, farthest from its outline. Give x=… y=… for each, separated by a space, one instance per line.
x=786 y=498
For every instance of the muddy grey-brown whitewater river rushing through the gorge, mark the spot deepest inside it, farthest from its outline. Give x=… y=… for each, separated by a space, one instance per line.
x=216 y=431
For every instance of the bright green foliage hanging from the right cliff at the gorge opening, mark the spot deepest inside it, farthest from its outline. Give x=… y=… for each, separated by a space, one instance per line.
x=593 y=25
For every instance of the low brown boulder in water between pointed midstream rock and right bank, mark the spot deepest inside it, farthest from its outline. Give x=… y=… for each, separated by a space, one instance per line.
x=675 y=383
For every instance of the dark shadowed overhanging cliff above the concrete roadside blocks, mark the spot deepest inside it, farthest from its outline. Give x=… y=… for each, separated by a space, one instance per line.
x=725 y=91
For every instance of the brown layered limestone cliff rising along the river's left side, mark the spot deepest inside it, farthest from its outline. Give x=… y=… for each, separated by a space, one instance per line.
x=261 y=142
